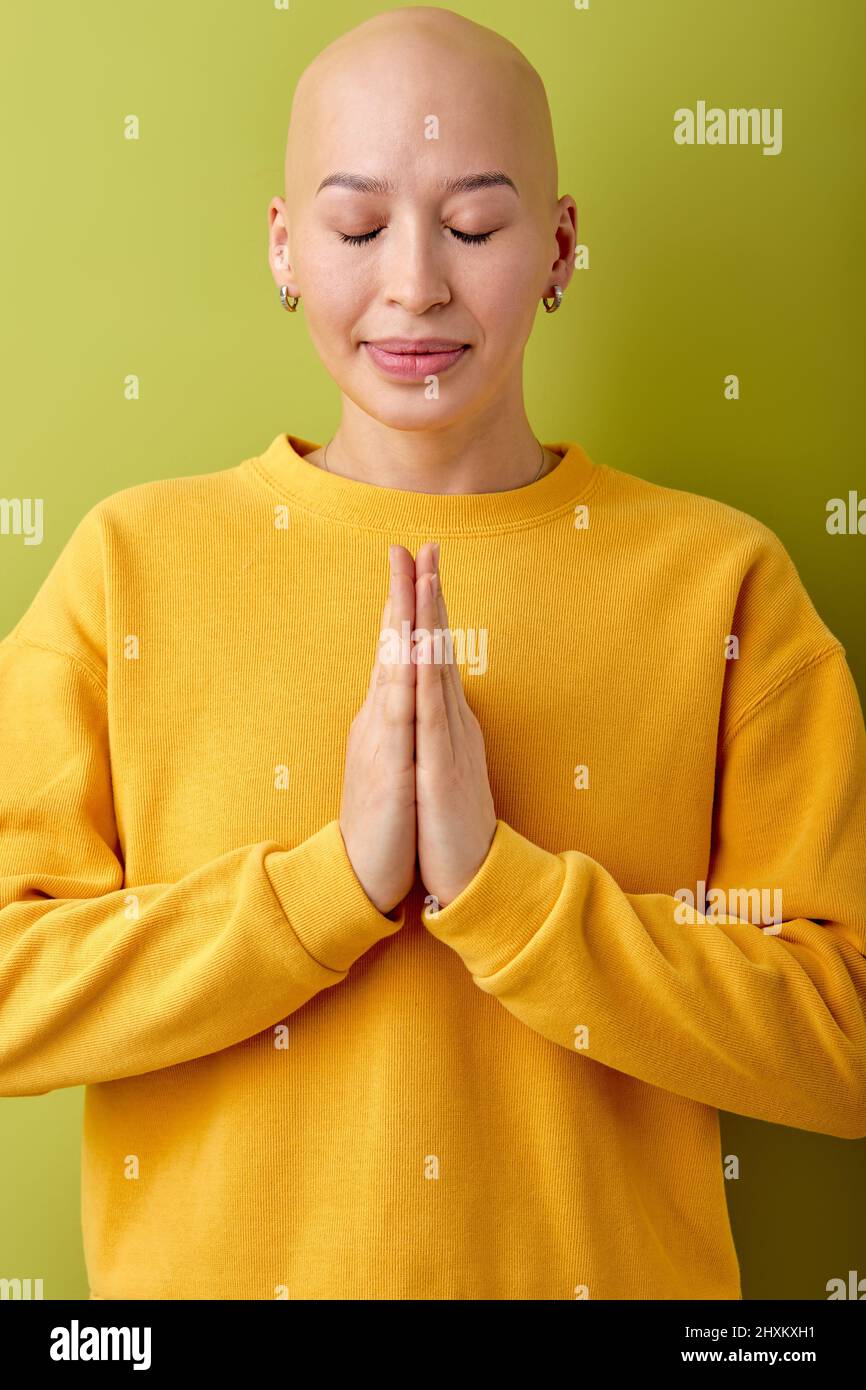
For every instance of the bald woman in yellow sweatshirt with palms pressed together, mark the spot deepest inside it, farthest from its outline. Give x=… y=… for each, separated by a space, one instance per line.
x=419 y=857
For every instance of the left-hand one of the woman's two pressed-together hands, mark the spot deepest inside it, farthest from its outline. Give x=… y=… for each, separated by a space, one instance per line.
x=377 y=815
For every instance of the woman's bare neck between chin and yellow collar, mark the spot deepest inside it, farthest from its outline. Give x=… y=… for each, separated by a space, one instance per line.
x=490 y=454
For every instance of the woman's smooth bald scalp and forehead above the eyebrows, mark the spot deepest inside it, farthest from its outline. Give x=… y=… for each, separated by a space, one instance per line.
x=365 y=105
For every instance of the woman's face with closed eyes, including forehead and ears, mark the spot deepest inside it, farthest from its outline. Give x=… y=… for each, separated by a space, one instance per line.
x=418 y=215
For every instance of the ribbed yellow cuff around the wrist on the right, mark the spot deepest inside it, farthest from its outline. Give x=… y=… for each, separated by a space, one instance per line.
x=501 y=910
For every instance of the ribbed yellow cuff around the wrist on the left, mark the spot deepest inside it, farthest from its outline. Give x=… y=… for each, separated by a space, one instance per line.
x=325 y=903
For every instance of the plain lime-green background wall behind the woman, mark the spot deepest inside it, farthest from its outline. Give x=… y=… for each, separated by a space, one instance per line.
x=151 y=258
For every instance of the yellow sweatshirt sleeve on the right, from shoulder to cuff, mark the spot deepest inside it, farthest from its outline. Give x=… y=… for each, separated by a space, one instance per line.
x=762 y=1021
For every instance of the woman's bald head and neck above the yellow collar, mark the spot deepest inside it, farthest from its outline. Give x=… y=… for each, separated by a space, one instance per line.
x=427 y=141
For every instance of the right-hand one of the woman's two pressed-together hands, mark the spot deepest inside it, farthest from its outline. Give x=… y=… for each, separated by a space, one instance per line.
x=457 y=818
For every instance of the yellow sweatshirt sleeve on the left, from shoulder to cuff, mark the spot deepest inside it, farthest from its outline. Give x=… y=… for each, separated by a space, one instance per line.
x=102 y=981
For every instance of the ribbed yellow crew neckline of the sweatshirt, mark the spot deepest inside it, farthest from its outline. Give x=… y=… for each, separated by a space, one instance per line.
x=376 y=508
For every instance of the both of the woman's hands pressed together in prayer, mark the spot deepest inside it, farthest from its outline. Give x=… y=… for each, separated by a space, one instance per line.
x=416 y=790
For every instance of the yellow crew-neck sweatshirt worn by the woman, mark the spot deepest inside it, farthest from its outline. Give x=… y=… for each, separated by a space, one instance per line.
x=291 y=1096
